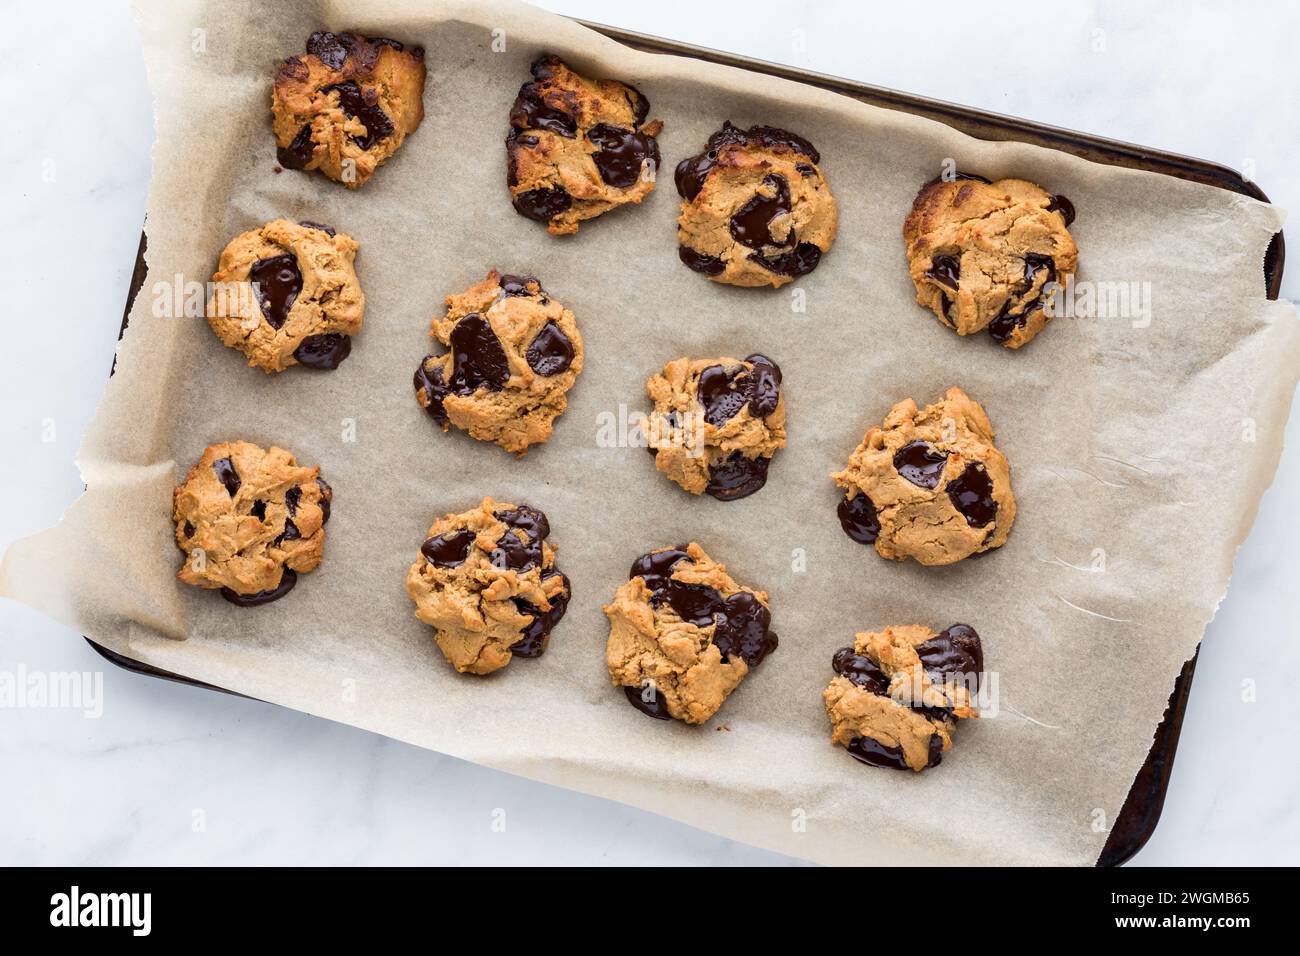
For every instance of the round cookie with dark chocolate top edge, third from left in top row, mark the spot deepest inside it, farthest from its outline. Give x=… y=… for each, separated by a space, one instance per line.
x=756 y=209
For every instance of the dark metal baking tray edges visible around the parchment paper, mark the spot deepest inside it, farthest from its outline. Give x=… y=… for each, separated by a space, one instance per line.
x=1141 y=812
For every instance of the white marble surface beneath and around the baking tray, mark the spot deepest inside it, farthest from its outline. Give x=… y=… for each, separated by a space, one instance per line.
x=174 y=775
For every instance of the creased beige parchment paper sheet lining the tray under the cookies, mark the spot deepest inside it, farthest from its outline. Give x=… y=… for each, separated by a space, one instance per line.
x=1138 y=455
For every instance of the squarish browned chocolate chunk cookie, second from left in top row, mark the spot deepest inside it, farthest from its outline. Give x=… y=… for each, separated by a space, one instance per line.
x=578 y=148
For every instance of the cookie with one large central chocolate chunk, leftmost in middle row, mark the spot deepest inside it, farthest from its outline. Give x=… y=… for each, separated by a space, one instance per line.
x=287 y=295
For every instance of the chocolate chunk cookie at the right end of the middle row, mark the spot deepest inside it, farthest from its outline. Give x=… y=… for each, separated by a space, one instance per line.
x=929 y=485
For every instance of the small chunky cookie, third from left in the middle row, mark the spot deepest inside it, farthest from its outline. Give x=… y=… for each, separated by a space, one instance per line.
x=717 y=423
